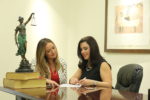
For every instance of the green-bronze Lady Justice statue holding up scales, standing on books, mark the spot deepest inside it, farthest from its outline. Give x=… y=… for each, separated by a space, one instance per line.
x=21 y=42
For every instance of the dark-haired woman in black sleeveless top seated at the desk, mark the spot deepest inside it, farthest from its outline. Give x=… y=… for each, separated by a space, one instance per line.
x=93 y=69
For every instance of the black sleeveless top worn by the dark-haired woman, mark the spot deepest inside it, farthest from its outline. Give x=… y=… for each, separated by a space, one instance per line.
x=93 y=73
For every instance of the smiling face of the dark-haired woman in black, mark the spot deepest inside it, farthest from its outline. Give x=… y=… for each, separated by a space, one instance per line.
x=85 y=50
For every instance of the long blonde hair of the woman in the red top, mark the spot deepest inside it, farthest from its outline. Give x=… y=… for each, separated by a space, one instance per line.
x=41 y=61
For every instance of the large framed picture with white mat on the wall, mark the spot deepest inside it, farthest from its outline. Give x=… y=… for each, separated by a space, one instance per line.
x=127 y=26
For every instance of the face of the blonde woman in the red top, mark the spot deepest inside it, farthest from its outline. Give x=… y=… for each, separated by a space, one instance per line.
x=50 y=51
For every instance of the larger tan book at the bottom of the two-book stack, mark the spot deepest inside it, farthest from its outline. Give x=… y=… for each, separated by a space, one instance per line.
x=31 y=83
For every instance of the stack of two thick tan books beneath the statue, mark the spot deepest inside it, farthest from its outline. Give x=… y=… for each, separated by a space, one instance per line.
x=23 y=80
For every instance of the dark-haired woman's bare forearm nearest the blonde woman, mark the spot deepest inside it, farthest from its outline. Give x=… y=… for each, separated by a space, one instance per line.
x=75 y=78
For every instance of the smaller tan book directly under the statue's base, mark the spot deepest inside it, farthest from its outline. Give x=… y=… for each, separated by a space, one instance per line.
x=22 y=76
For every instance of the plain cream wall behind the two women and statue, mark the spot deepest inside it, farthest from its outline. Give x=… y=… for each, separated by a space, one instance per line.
x=65 y=22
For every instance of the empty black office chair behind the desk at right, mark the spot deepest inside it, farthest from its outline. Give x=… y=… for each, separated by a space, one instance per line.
x=129 y=78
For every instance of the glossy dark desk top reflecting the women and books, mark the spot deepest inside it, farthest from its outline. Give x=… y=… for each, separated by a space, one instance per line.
x=74 y=94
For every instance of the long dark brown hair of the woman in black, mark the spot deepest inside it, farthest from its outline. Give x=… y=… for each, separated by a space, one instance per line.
x=95 y=56
